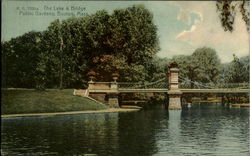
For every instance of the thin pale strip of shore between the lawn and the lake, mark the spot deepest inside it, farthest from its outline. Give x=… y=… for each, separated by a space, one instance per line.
x=110 y=110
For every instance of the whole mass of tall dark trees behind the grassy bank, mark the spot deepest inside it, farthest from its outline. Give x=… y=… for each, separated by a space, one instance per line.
x=62 y=55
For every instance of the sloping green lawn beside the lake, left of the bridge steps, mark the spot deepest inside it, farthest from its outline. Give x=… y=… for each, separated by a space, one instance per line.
x=15 y=101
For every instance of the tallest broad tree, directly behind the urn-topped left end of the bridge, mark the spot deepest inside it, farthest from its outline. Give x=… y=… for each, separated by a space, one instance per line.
x=129 y=36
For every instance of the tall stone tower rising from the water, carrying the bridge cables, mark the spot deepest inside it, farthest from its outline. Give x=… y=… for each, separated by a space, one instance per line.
x=174 y=94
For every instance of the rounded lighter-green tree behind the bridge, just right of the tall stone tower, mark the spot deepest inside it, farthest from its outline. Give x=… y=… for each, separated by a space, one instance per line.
x=202 y=66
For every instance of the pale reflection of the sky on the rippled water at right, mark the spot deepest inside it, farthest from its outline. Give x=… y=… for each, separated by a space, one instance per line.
x=205 y=132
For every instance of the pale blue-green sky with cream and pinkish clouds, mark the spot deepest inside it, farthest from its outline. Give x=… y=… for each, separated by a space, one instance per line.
x=182 y=26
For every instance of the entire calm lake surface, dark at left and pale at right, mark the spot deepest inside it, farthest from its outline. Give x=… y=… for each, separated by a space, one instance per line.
x=203 y=131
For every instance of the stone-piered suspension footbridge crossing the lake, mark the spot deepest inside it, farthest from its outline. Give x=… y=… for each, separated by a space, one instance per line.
x=173 y=85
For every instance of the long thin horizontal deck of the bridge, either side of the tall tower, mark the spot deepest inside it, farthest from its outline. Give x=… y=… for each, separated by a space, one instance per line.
x=167 y=90
